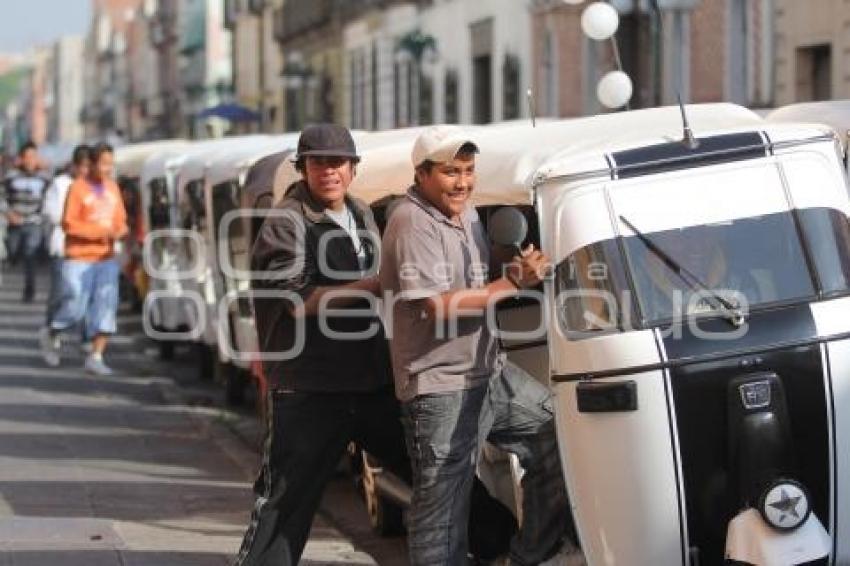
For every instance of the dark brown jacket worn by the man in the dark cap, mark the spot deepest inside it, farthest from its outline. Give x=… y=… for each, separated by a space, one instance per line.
x=287 y=249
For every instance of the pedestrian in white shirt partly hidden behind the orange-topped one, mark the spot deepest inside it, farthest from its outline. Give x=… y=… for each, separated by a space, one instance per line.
x=54 y=207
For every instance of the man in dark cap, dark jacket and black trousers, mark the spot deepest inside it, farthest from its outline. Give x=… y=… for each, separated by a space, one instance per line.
x=318 y=251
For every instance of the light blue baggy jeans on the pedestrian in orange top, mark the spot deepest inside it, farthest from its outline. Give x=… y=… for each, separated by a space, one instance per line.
x=90 y=294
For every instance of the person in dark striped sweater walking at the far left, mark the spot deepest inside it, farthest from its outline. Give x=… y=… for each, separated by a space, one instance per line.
x=22 y=201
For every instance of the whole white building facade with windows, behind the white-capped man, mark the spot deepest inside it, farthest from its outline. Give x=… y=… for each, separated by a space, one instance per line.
x=412 y=63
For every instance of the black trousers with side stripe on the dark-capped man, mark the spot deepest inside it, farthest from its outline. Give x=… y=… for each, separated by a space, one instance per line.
x=306 y=437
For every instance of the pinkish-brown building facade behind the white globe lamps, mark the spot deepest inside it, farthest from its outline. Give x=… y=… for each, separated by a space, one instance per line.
x=701 y=50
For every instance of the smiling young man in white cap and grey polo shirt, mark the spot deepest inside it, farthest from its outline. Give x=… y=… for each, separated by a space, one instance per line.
x=456 y=387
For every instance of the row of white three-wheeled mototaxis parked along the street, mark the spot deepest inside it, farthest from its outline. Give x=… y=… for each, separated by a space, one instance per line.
x=694 y=331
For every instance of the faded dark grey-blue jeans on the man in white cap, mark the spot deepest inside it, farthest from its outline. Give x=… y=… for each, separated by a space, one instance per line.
x=444 y=434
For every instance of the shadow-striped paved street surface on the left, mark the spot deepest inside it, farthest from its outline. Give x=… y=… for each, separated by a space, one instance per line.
x=119 y=470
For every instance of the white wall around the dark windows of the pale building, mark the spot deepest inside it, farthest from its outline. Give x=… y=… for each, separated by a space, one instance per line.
x=452 y=24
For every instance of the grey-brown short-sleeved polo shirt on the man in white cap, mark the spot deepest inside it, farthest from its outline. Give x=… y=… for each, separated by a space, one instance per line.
x=425 y=254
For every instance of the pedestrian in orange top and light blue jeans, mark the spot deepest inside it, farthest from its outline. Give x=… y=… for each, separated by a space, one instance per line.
x=93 y=221
